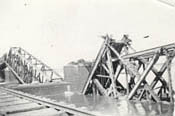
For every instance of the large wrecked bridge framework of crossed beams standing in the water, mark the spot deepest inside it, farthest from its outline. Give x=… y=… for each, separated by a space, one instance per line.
x=143 y=80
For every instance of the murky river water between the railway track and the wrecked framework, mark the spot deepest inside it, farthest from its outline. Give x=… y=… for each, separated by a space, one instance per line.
x=110 y=107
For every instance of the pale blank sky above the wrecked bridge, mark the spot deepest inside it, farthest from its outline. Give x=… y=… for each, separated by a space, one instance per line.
x=60 y=31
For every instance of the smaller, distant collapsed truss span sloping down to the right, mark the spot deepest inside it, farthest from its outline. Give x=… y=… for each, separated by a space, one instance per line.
x=27 y=68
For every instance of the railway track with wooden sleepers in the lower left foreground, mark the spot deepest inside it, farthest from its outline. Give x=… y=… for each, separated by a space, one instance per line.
x=17 y=103
